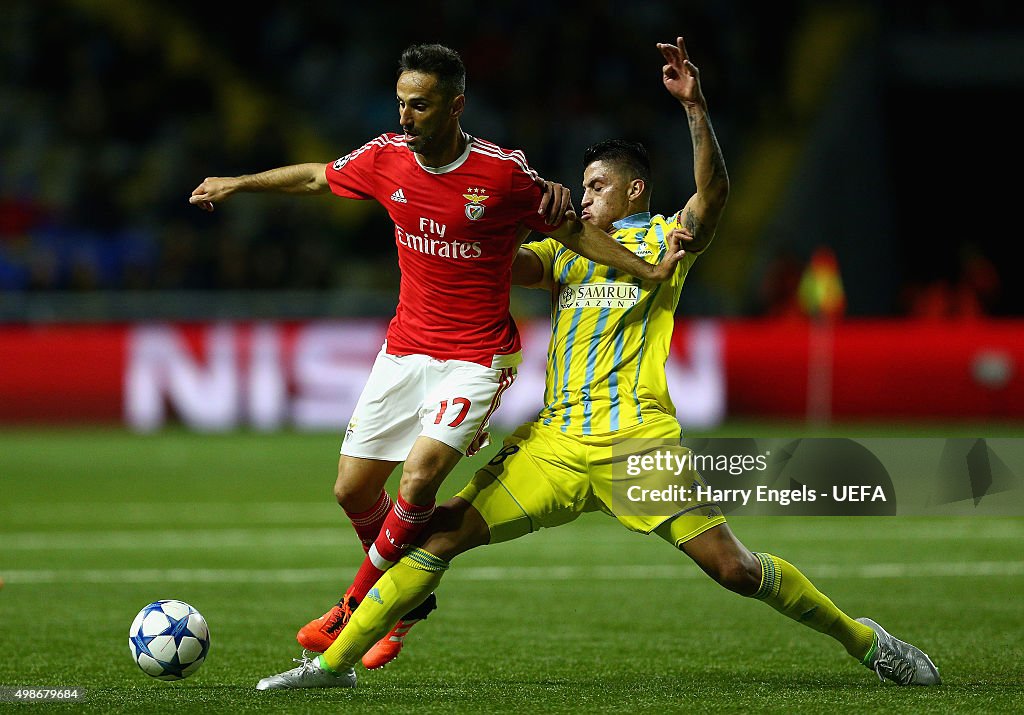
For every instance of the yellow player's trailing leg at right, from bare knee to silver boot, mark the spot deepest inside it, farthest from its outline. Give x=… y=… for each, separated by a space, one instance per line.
x=782 y=586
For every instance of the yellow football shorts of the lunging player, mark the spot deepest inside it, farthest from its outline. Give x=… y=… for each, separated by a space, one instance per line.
x=543 y=478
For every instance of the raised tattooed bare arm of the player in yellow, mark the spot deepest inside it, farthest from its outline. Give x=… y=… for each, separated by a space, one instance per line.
x=703 y=212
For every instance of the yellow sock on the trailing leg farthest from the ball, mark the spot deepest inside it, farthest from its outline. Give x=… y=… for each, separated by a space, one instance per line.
x=789 y=592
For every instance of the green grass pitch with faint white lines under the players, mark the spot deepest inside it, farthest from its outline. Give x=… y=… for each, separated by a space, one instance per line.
x=97 y=524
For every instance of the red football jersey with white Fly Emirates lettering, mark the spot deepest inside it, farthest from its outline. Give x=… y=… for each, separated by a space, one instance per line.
x=456 y=231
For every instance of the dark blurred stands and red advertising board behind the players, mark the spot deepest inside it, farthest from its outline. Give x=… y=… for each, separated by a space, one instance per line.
x=858 y=135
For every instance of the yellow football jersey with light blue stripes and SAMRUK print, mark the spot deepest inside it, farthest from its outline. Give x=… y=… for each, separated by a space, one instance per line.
x=611 y=332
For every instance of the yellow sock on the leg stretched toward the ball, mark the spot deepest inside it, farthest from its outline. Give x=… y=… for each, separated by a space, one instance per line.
x=403 y=587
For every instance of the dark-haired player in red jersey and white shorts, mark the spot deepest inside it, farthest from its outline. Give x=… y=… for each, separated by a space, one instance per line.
x=461 y=206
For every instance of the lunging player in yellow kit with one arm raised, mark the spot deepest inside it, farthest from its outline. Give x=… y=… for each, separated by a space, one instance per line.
x=606 y=385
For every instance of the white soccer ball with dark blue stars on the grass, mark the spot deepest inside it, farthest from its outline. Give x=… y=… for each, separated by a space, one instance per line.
x=169 y=640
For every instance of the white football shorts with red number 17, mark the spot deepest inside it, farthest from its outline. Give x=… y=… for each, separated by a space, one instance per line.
x=450 y=401
